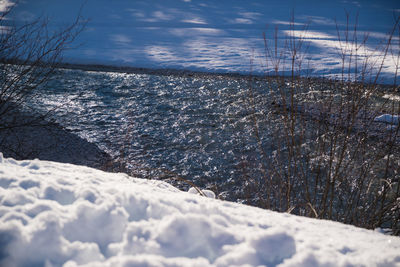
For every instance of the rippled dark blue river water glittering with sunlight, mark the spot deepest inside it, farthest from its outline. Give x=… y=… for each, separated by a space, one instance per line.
x=196 y=128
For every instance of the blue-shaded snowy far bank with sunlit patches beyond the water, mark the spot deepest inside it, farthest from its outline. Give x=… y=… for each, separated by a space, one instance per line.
x=217 y=36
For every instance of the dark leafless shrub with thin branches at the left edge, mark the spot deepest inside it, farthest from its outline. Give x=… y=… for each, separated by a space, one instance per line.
x=29 y=55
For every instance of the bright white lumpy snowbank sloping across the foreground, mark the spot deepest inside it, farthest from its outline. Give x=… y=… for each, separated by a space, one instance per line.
x=57 y=214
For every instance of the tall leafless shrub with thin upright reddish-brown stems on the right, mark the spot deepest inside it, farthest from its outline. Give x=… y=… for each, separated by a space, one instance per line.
x=330 y=158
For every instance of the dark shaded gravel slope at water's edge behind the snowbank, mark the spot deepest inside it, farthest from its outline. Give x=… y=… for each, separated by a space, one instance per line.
x=35 y=137
